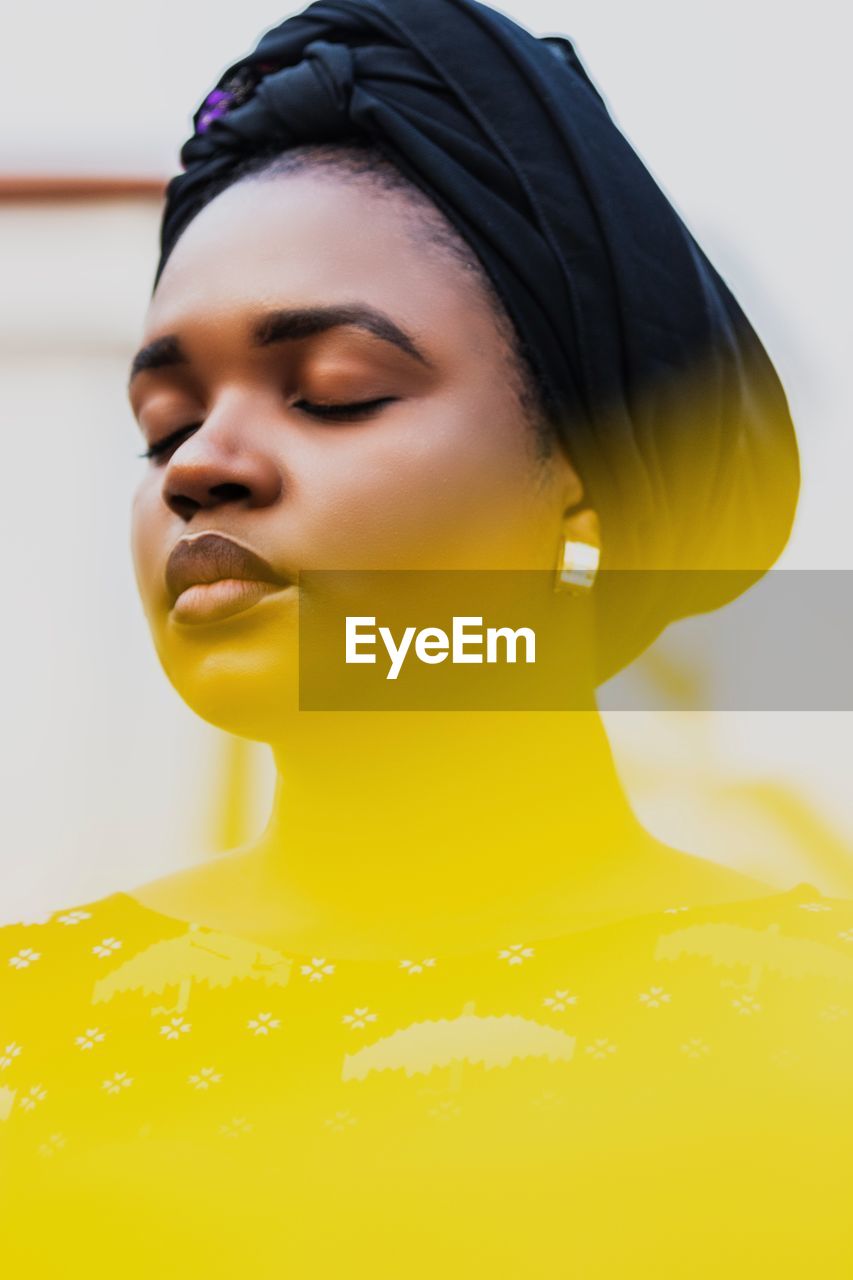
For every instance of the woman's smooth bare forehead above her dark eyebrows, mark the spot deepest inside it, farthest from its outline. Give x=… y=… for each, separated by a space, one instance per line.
x=312 y=240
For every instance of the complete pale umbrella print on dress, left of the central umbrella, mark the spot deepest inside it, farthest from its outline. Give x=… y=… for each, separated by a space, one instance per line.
x=198 y=956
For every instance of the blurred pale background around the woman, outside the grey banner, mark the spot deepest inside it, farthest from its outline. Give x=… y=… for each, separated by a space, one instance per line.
x=741 y=111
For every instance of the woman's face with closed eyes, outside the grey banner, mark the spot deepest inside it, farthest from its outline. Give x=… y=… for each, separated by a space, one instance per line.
x=325 y=387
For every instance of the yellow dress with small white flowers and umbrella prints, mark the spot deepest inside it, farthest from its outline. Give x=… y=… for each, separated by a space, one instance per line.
x=669 y=1096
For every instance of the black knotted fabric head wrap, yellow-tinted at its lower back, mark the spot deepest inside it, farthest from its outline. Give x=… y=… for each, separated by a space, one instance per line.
x=663 y=394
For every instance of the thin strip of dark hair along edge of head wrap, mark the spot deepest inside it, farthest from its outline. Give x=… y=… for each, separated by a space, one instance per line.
x=359 y=161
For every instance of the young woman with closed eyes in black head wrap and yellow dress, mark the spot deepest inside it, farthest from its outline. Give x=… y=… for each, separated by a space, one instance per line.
x=422 y=312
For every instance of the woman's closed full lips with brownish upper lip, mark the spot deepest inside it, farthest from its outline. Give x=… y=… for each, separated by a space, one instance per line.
x=211 y=577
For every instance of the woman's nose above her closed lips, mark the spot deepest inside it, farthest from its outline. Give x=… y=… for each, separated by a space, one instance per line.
x=221 y=464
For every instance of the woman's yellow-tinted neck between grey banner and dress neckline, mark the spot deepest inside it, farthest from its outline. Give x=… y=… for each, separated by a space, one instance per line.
x=391 y=822
